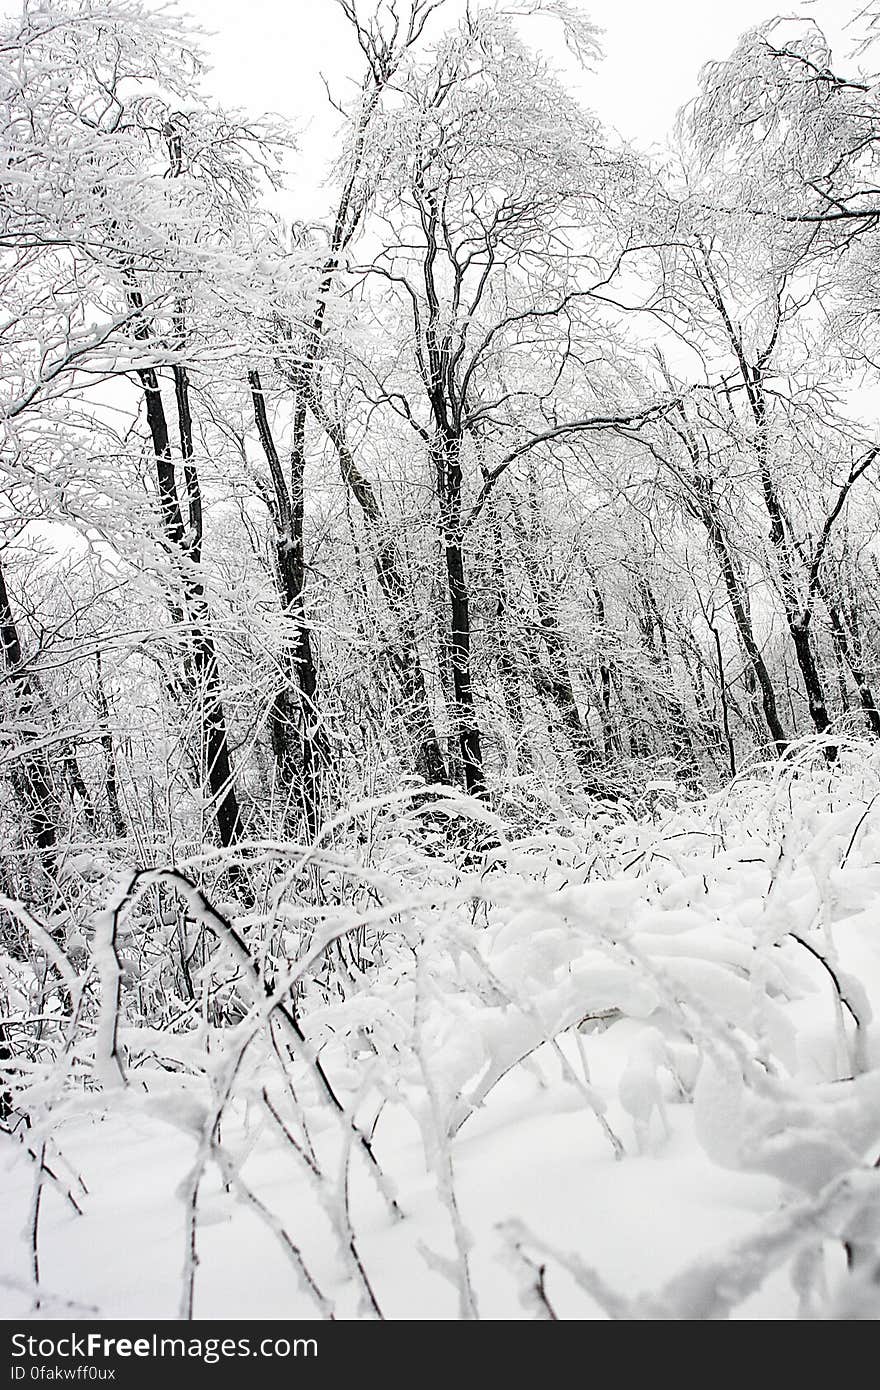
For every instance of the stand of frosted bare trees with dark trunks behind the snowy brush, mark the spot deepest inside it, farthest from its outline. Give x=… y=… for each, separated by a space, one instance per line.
x=537 y=468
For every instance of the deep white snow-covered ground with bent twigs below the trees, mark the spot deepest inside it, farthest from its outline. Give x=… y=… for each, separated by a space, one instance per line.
x=614 y=1068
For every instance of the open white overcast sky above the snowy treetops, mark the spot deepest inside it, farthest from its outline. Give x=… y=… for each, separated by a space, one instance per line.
x=269 y=55
